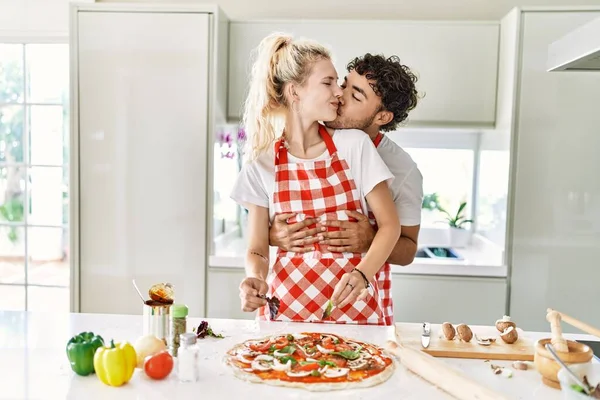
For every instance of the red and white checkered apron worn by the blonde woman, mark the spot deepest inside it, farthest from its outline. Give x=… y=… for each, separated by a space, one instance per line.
x=304 y=282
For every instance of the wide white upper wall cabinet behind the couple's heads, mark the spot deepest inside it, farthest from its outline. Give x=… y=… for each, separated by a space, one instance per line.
x=456 y=62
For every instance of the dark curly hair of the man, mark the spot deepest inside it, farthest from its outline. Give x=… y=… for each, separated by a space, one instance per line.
x=394 y=83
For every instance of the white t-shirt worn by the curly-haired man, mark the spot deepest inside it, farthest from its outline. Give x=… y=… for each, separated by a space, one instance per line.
x=407 y=187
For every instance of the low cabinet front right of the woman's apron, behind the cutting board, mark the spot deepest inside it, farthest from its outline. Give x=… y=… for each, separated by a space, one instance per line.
x=437 y=299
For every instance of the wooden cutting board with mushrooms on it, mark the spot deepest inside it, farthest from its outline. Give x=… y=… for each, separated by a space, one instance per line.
x=522 y=349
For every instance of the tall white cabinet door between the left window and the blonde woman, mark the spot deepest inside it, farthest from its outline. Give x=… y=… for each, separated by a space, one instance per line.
x=142 y=156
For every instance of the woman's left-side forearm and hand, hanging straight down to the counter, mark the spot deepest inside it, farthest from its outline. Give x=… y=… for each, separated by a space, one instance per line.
x=257 y=259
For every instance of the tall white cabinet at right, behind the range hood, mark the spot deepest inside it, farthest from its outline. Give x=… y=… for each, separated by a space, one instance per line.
x=554 y=213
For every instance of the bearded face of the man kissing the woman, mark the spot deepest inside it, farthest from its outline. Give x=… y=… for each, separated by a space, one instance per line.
x=358 y=105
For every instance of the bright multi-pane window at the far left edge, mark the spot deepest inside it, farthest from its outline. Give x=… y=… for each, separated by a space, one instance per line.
x=34 y=177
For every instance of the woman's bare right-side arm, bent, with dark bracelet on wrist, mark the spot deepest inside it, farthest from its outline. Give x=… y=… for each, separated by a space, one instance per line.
x=352 y=284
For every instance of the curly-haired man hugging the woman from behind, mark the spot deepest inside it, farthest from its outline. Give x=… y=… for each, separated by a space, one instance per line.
x=379 y=93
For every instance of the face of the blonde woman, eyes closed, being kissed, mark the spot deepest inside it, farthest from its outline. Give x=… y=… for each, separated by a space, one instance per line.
x=320 y=94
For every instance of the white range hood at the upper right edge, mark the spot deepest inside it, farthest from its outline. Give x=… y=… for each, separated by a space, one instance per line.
x=579 y=50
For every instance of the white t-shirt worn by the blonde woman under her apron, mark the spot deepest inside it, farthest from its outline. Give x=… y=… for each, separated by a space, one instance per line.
x=256 y=182
